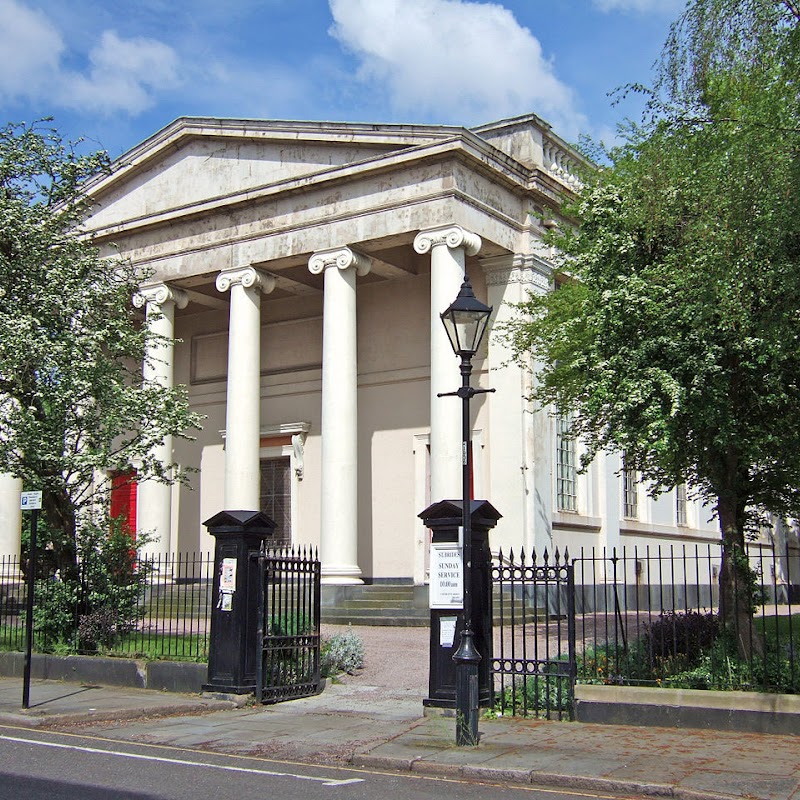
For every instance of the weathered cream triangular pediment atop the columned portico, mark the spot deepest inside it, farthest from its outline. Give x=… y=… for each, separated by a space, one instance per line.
x=195 y=160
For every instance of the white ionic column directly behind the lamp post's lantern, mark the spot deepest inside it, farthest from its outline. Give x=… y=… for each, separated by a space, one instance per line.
x=447 y=245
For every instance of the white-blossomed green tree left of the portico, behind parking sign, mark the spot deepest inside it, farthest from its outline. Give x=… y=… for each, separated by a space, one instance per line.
x=74 y=405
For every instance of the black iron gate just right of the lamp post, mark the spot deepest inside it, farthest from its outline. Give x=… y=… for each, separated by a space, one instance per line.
x=534 y=664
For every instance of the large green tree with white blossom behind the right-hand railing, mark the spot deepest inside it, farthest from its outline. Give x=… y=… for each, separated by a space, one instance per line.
x=675 y=331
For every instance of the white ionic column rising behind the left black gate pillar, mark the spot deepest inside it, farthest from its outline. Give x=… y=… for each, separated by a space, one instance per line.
x=242 y=412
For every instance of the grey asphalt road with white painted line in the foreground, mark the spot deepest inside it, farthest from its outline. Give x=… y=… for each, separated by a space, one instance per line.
x=39 y=765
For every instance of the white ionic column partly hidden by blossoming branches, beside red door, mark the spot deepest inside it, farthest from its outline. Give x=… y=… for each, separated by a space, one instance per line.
x=154 y=499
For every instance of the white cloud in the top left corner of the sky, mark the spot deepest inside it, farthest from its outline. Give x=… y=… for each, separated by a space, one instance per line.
x=122 y=75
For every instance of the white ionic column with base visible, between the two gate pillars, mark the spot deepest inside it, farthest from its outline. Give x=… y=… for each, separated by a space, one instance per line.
x=339 y=502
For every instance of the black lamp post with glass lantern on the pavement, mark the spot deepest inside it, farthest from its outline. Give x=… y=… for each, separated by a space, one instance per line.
x=465 y=322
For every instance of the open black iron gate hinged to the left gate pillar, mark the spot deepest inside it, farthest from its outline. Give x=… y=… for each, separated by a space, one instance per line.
x=288 y=625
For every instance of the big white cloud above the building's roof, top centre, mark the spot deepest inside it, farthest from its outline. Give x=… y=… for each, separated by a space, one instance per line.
x=454 y=60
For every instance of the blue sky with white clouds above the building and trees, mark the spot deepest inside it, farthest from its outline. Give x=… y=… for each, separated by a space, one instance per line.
x=116 y=71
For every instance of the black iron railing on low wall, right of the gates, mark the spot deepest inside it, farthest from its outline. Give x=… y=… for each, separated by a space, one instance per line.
x=656 y=616
